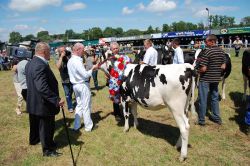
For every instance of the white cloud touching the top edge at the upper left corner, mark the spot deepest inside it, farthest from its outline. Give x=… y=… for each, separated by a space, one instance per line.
x=32 y=5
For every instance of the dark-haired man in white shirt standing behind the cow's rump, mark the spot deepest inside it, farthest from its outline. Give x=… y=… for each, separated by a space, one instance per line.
x=178 y=53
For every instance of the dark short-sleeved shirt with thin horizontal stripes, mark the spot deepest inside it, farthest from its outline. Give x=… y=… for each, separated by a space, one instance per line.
x=213 y=58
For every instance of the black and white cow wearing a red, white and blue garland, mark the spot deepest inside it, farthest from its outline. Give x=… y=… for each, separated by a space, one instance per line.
x=155 y=87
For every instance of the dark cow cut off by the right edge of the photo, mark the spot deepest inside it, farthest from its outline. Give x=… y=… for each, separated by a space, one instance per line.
x=246 y=71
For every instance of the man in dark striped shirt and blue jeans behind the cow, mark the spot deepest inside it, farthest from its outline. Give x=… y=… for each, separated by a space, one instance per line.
x=212 y=63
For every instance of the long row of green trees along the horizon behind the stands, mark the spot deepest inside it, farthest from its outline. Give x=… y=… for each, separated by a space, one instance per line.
x=215 y=22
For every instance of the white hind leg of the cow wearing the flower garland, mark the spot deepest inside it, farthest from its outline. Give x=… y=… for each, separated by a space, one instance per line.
x=183 y=124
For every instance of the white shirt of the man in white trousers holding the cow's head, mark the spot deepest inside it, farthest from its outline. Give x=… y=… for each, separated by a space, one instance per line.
x=77 y=72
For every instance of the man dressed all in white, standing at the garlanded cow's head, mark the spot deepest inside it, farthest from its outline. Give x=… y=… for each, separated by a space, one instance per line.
x=79 y=77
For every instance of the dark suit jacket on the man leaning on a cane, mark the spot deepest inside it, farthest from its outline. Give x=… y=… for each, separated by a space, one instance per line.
x=42 y=89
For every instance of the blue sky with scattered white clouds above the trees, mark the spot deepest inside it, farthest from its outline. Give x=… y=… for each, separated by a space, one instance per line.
x=56 y=16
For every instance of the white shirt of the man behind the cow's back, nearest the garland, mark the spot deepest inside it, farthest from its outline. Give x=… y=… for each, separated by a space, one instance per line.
x=150 y=56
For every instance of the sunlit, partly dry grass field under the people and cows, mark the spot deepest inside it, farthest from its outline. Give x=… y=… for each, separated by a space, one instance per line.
x=152 y=144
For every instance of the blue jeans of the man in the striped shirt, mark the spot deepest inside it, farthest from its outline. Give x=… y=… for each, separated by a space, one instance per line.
x=204 y=87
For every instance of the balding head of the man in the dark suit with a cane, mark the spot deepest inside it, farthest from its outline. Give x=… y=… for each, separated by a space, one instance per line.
x=42 y=49
